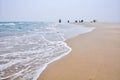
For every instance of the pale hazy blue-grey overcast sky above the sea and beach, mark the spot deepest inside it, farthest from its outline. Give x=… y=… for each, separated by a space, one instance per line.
x=52 y=10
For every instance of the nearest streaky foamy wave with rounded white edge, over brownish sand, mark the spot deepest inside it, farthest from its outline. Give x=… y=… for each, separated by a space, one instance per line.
x=21 y=53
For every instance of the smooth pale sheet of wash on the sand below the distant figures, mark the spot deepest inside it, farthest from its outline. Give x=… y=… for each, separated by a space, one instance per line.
x=72 y=30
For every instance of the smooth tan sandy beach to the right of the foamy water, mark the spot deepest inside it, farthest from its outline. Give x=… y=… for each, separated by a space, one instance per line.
x=95 y=56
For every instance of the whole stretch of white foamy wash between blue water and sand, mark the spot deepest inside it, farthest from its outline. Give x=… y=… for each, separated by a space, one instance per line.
x=39 y=48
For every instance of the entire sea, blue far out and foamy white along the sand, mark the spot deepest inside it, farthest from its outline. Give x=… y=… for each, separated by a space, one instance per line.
x=26 y=48
